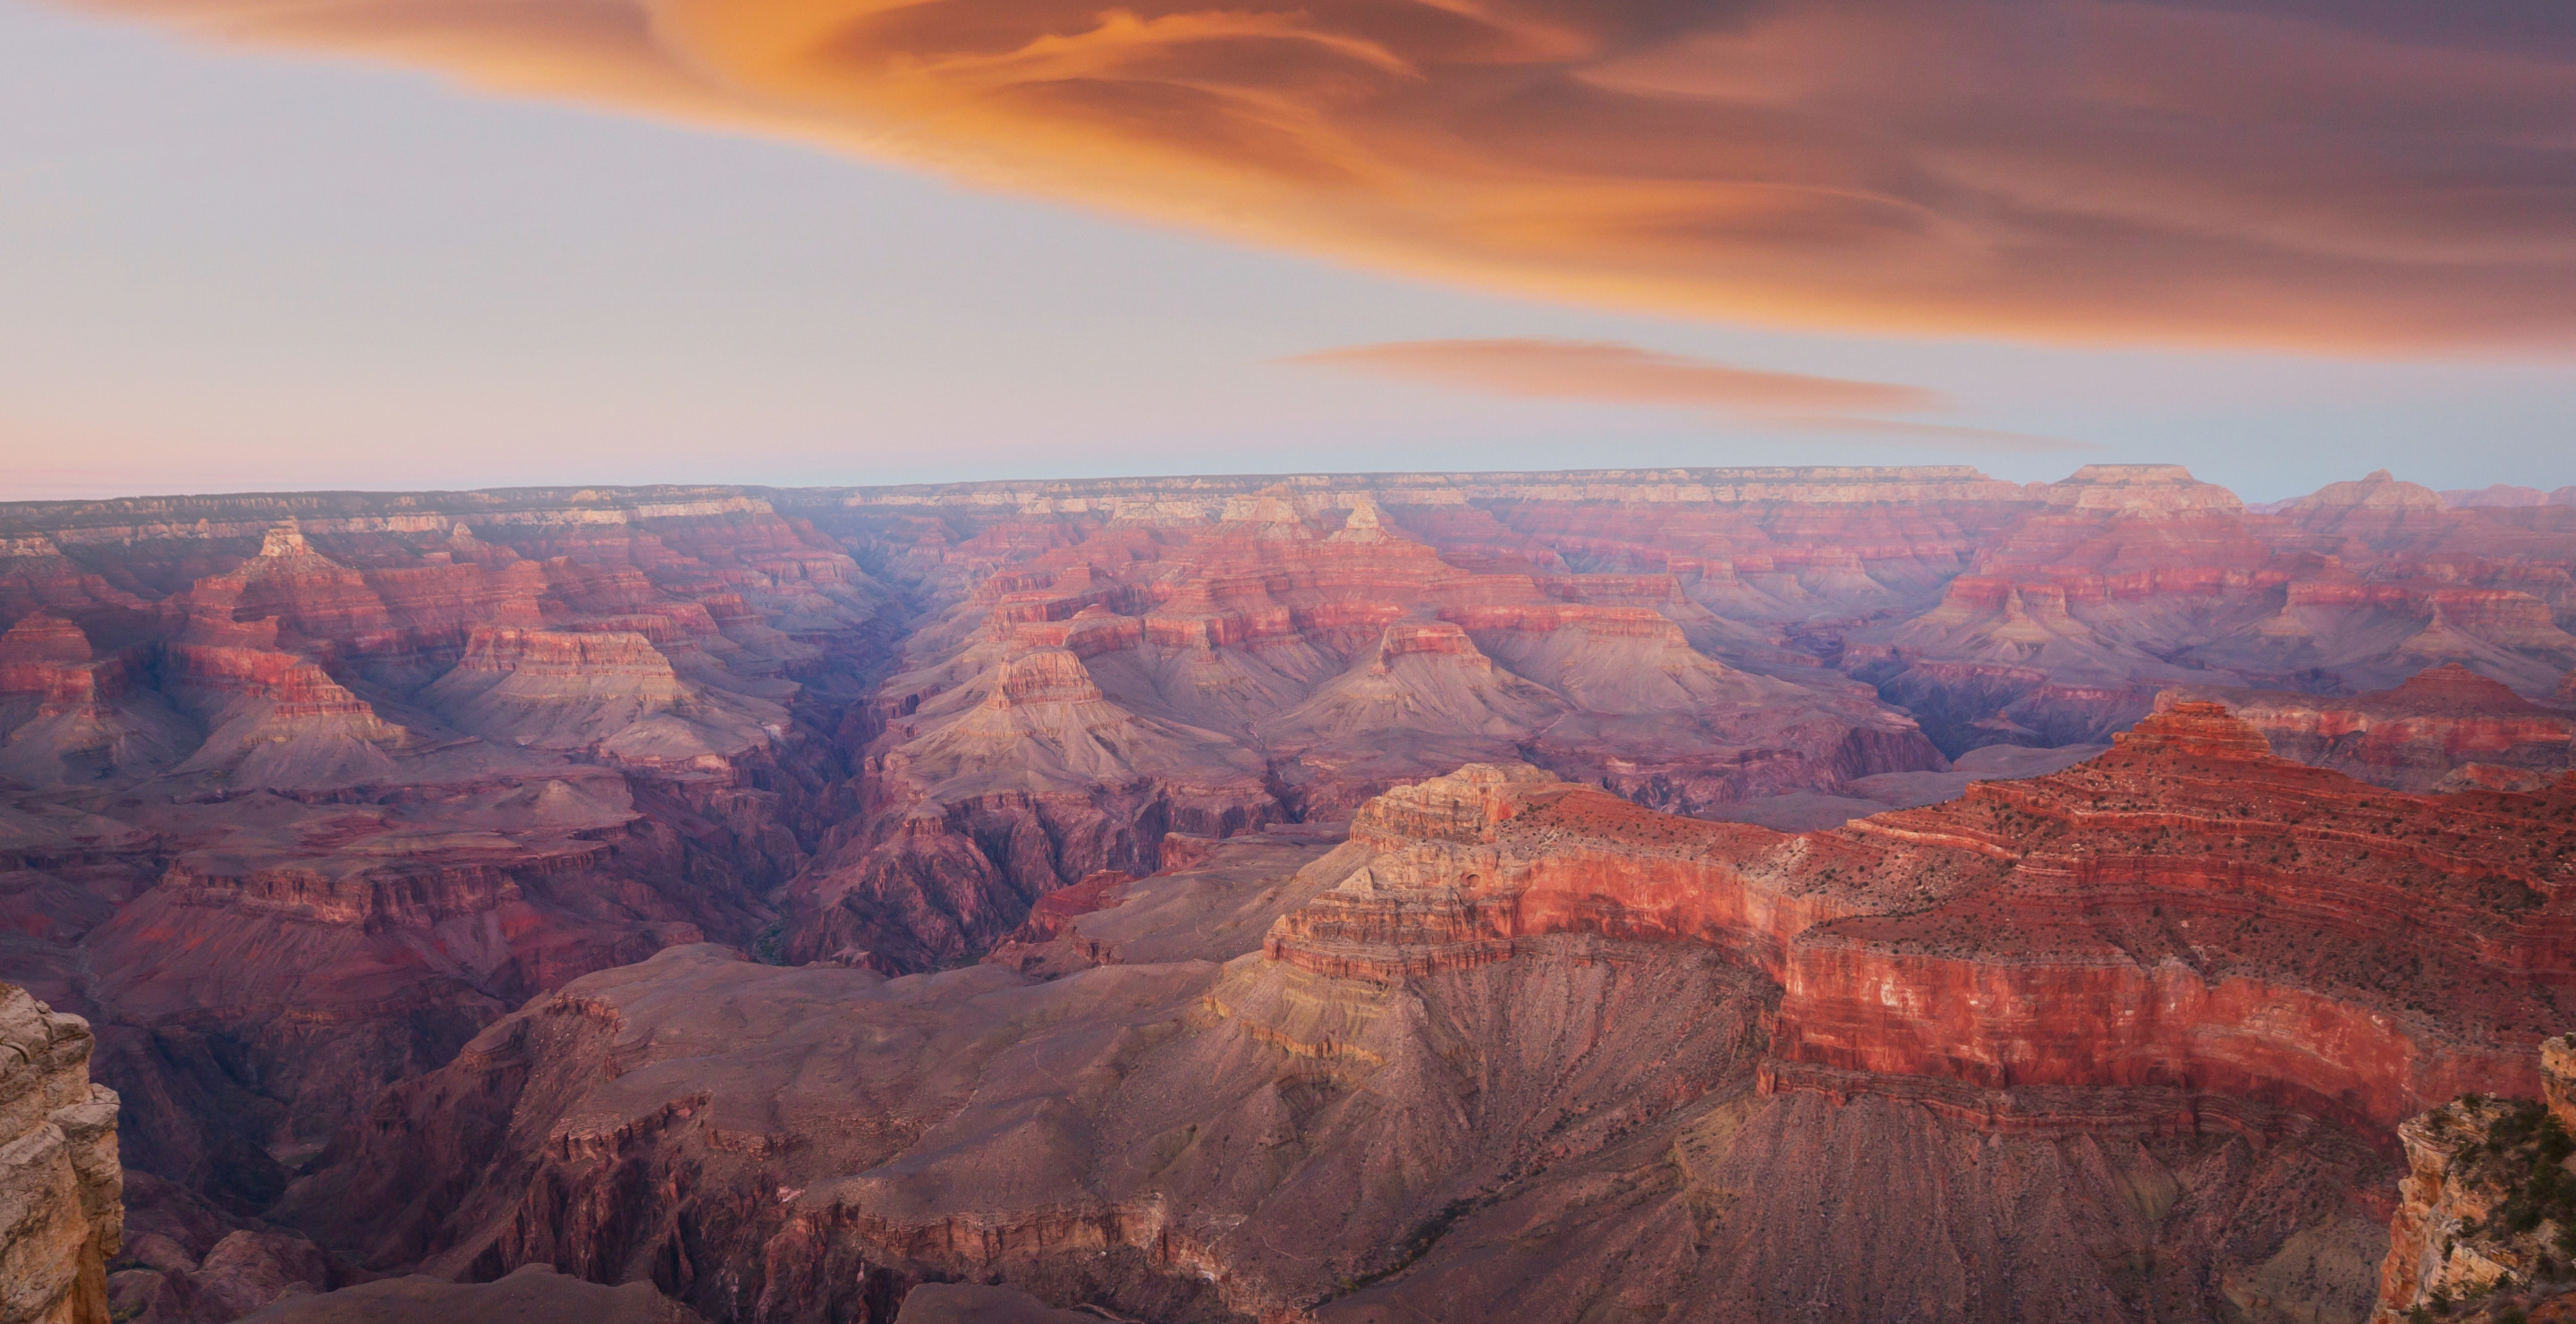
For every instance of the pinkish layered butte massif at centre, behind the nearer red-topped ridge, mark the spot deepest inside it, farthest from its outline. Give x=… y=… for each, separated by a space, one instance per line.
x=1282 y=663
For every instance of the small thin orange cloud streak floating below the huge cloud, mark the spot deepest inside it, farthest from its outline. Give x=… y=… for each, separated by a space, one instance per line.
x=1624 y=375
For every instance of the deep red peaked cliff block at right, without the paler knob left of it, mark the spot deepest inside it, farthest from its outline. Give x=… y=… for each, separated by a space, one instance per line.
x=2193 y=913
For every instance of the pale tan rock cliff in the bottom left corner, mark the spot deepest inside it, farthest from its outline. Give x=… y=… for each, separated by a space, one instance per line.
x=61 y=1184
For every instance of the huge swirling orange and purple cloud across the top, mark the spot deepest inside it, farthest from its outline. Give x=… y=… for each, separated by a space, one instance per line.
x=2315 y=174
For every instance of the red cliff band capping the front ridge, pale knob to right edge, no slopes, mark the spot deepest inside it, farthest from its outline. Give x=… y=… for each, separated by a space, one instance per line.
x=2181 y=913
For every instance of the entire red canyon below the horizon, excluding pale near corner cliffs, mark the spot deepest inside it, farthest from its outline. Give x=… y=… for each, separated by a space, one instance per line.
x=1835 y=893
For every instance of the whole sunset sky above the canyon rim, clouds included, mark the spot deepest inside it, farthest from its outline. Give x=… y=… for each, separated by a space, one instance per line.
x=470 y=243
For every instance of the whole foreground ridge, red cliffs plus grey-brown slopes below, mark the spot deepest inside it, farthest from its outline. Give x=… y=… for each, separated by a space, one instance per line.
x=2080 y=1047
